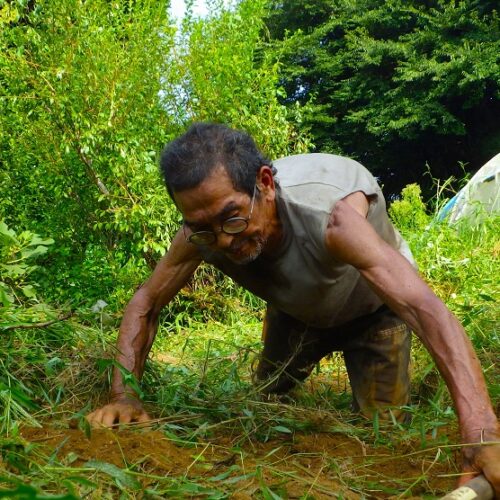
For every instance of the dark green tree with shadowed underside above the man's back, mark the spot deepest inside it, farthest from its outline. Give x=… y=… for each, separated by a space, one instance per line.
x=395 y=83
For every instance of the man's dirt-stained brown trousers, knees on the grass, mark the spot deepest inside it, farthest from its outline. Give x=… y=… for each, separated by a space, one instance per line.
x=376 y=350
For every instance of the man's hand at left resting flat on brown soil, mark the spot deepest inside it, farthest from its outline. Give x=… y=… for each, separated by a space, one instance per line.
x=123 y=411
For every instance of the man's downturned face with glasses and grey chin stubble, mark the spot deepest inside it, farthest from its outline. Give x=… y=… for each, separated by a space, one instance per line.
x=207 y=206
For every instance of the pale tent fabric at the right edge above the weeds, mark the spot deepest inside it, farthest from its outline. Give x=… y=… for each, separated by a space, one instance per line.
x=481 y=195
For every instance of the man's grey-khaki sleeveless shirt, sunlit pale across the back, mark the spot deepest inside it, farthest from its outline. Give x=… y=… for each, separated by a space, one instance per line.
x=304 y=280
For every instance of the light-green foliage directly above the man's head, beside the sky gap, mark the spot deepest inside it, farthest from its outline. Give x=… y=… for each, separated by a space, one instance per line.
x=229 y=77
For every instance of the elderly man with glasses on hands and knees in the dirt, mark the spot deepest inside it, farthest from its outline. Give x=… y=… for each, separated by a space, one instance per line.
x=311 y=236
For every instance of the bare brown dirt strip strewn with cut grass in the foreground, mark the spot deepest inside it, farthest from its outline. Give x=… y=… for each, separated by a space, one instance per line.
x=318 y=464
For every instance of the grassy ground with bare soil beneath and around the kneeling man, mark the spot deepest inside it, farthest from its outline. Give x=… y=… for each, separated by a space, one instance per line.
x=233 y=440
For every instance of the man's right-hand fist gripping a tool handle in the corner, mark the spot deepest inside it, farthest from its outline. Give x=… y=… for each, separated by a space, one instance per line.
x=483 y=459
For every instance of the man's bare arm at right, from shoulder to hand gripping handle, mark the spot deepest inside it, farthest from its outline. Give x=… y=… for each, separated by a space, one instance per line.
x=351 y=239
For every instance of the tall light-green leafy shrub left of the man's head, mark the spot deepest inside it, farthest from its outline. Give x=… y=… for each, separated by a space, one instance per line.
x=81 y=122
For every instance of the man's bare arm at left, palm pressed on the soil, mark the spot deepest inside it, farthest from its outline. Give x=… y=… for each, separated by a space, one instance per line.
x=139 y=327
